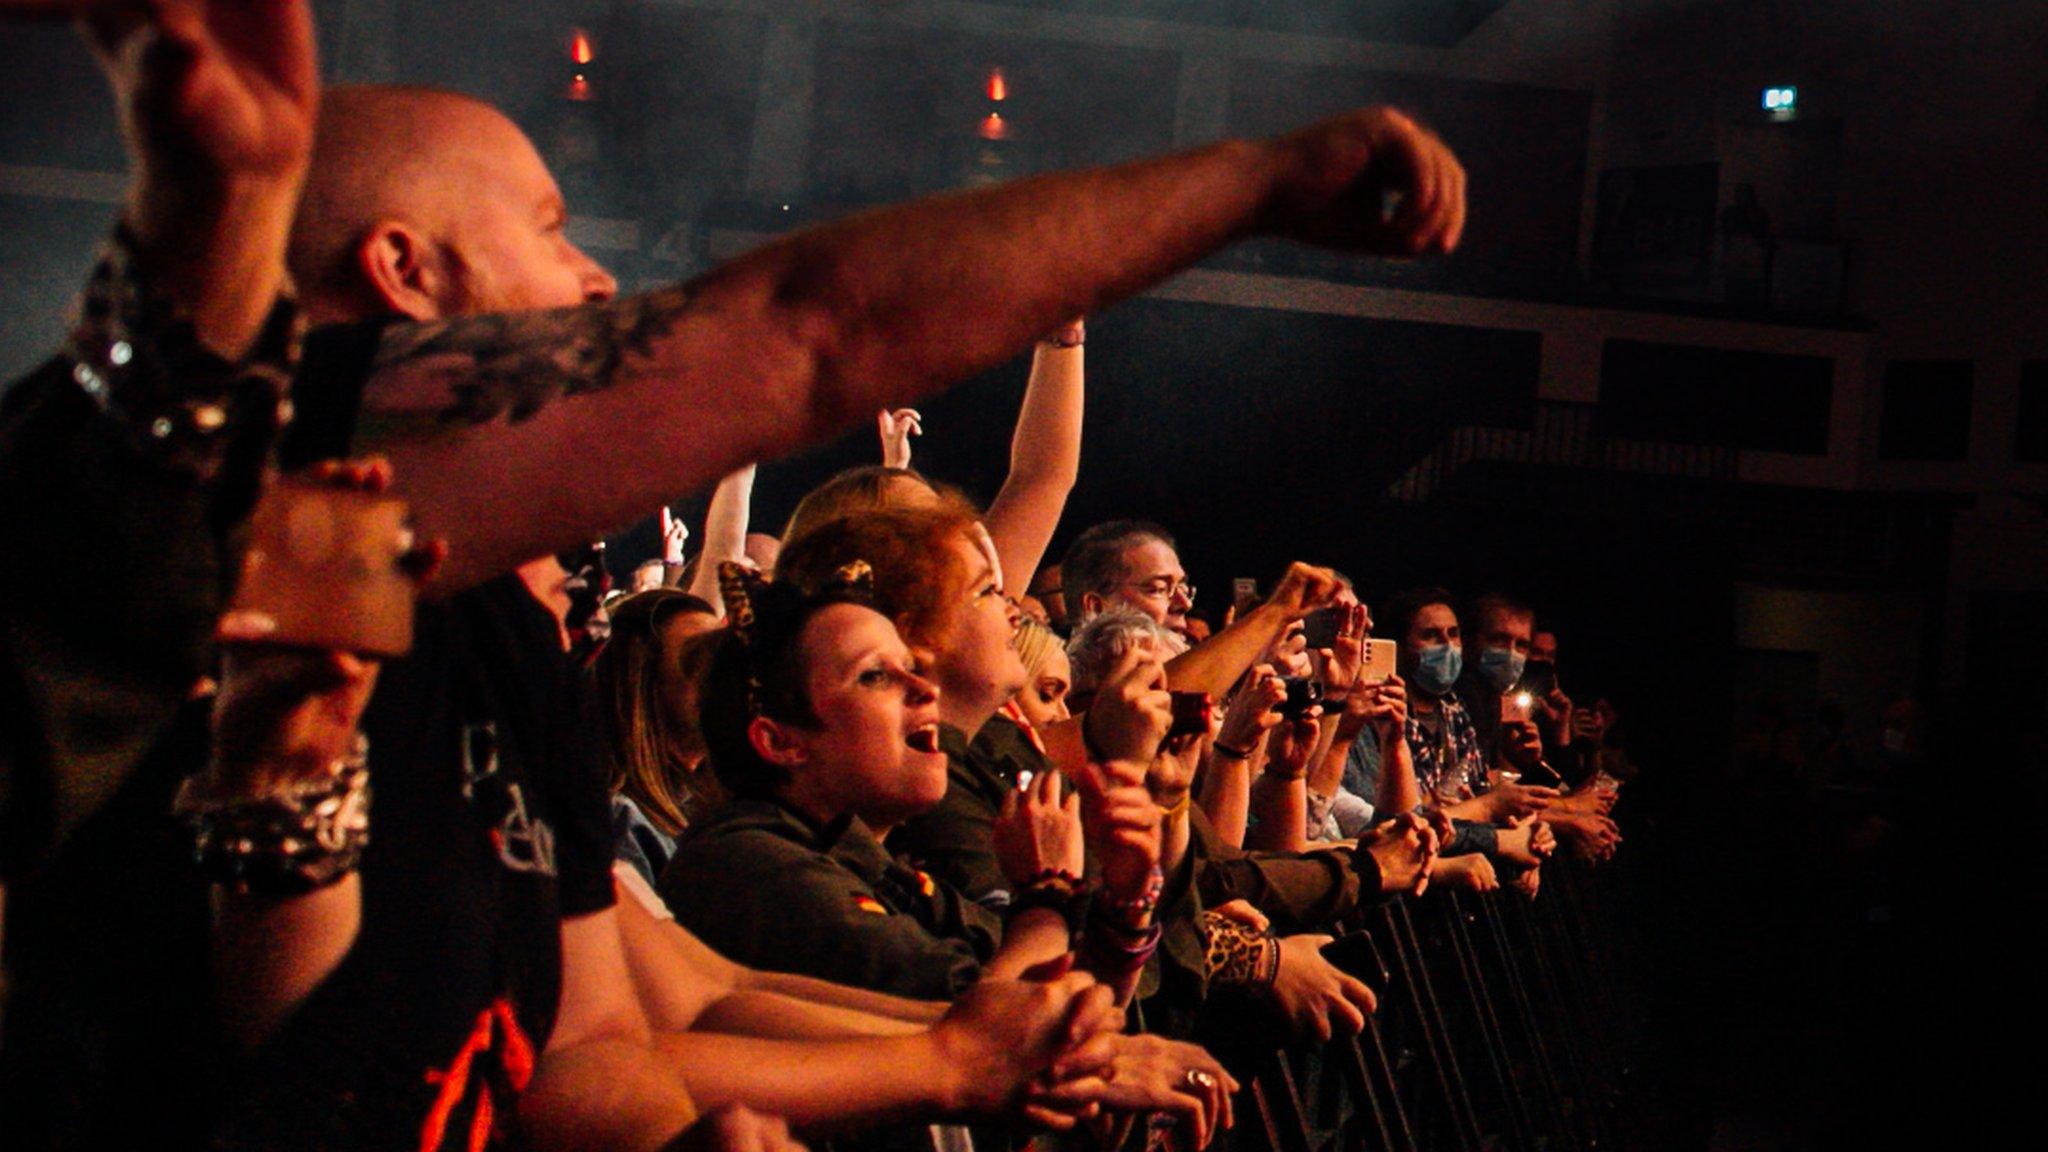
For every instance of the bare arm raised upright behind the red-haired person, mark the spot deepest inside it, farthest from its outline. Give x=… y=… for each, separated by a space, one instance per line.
x=1046 y=458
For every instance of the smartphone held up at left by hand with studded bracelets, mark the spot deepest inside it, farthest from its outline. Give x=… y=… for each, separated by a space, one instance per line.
x=327 y=565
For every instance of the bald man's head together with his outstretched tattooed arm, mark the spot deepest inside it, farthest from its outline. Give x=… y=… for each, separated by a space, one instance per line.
x=513 y=366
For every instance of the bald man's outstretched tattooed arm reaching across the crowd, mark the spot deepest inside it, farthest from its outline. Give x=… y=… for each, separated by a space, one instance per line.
x=519 y=436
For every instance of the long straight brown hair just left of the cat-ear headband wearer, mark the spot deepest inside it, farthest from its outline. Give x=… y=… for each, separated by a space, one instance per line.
x=652 y=747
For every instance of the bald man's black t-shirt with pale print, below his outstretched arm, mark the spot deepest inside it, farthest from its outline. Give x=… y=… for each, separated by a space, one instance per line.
x=488 y=827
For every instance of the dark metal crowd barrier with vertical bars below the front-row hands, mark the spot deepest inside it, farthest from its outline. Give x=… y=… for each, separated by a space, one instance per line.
x=1504 y=1026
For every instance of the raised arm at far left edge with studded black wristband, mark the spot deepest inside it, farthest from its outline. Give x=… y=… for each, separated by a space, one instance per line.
x=218 y=112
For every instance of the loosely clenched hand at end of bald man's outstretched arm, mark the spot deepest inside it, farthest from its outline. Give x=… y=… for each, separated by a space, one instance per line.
x=1373 y=181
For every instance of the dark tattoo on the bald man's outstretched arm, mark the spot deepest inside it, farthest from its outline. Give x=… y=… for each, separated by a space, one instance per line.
x=513 y=364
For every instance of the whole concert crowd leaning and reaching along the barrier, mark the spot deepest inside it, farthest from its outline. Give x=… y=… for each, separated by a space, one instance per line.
x=331 y=831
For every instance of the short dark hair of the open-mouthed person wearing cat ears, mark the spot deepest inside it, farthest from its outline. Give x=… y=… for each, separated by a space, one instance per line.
x=759 y=671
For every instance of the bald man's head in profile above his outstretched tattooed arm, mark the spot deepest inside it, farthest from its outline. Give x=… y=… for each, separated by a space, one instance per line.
x=431 y=204
